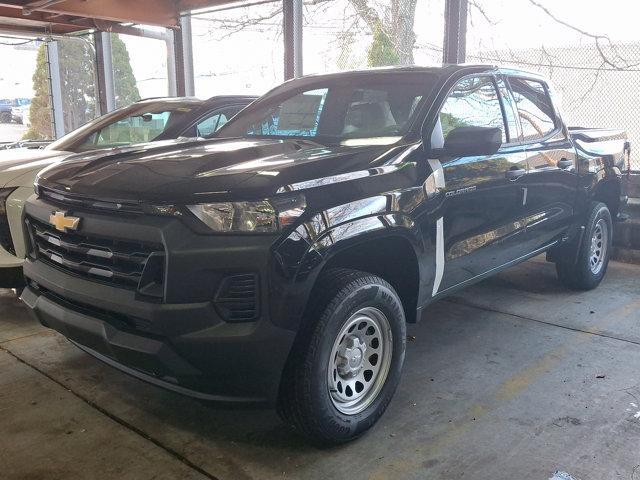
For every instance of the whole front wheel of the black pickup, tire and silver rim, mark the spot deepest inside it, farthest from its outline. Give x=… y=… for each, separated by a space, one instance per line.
x=346 y=363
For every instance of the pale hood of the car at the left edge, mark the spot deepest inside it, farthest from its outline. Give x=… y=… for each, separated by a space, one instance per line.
x=19 y=166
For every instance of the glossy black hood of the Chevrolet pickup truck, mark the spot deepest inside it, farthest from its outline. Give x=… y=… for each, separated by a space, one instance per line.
x=218 y=169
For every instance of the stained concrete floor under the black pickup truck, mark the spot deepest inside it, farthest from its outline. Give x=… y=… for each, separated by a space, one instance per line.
x=513 y=379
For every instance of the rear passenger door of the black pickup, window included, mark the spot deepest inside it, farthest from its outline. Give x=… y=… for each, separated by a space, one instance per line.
x=552 y=183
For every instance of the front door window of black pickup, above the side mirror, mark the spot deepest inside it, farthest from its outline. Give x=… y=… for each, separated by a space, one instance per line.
x=473 y=102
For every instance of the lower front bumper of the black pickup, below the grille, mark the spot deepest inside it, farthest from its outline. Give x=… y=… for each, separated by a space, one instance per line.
x=222 y=362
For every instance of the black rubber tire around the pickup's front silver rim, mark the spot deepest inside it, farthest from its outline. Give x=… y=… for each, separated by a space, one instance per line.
x=305 y=402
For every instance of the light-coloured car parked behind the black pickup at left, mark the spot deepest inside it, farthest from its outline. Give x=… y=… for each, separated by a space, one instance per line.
x=150 y=120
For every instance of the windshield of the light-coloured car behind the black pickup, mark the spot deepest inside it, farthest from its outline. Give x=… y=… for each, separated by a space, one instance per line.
x=139 y=123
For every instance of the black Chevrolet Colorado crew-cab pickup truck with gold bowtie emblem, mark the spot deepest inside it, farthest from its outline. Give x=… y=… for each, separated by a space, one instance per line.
x=281 y=260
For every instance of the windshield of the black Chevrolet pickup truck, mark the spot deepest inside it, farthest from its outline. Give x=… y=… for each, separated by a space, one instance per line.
x=367 y=108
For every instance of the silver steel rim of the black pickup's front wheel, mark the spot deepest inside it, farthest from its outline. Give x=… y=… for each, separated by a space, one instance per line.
x=360 y=361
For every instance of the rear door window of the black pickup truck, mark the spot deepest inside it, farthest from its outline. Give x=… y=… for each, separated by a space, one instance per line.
x=535 y=108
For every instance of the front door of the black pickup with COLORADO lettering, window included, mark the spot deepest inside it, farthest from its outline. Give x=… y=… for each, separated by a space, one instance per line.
x=482 y=210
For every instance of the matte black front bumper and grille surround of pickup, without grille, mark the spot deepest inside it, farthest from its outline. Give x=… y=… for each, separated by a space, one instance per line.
x=185 y=345
